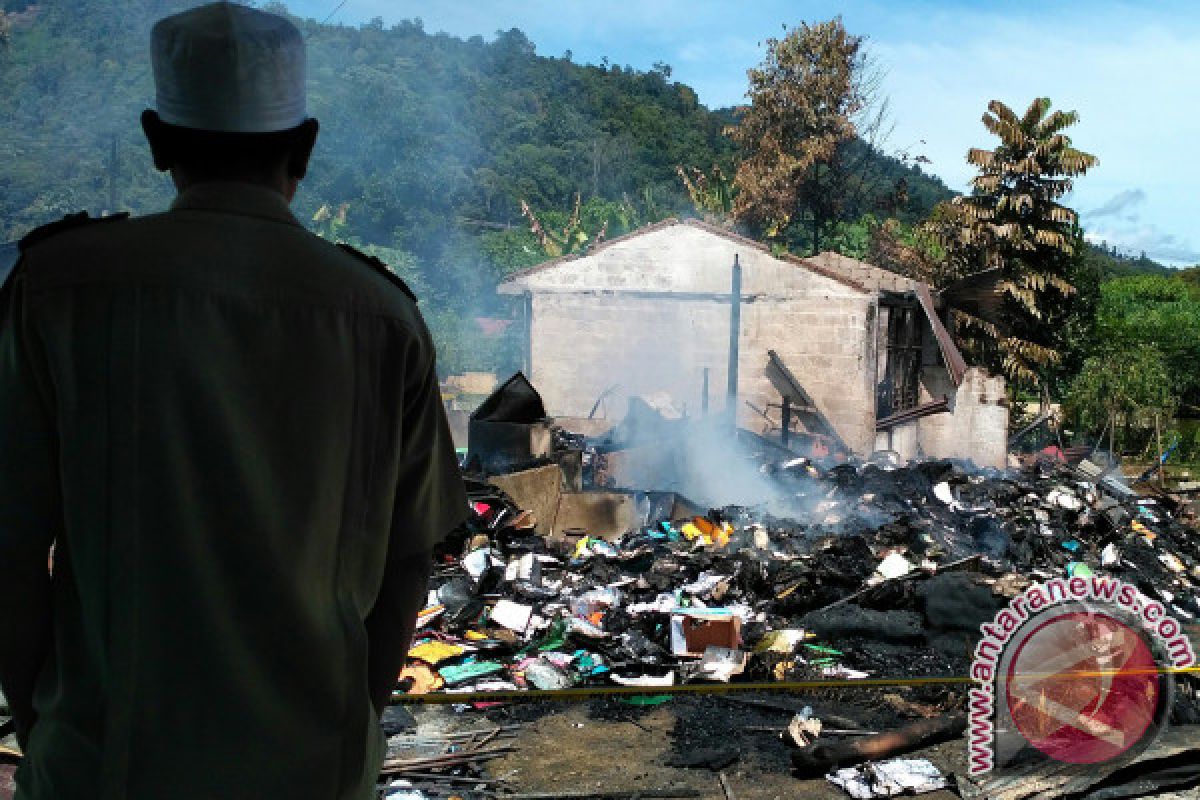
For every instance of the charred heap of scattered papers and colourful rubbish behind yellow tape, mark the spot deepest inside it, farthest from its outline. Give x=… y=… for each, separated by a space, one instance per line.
x=879 y=570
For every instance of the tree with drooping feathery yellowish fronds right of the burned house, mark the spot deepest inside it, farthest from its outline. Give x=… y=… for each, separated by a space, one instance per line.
x=1013 y=222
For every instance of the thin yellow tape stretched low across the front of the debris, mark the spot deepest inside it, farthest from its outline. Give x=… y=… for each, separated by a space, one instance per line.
x=454 y=699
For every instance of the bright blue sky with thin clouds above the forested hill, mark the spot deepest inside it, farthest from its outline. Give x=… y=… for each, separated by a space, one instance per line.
x=1132 y=73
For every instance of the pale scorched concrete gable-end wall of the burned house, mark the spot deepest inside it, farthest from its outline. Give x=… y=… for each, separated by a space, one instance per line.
x=652 y=312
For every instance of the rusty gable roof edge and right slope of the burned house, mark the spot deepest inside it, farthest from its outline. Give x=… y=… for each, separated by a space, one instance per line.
x=850 y=273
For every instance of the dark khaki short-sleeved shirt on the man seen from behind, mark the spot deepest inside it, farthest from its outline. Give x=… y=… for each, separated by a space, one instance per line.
x=225 y=424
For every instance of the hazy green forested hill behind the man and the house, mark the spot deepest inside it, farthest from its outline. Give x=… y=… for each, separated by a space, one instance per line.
x=429 y=142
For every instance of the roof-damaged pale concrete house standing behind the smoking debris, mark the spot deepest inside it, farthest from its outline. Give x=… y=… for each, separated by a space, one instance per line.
x=821 y=353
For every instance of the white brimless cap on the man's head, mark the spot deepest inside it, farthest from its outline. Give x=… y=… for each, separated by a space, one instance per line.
x=227 y=68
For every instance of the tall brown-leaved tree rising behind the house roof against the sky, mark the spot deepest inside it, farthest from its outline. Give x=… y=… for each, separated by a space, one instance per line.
x=803 y=101
